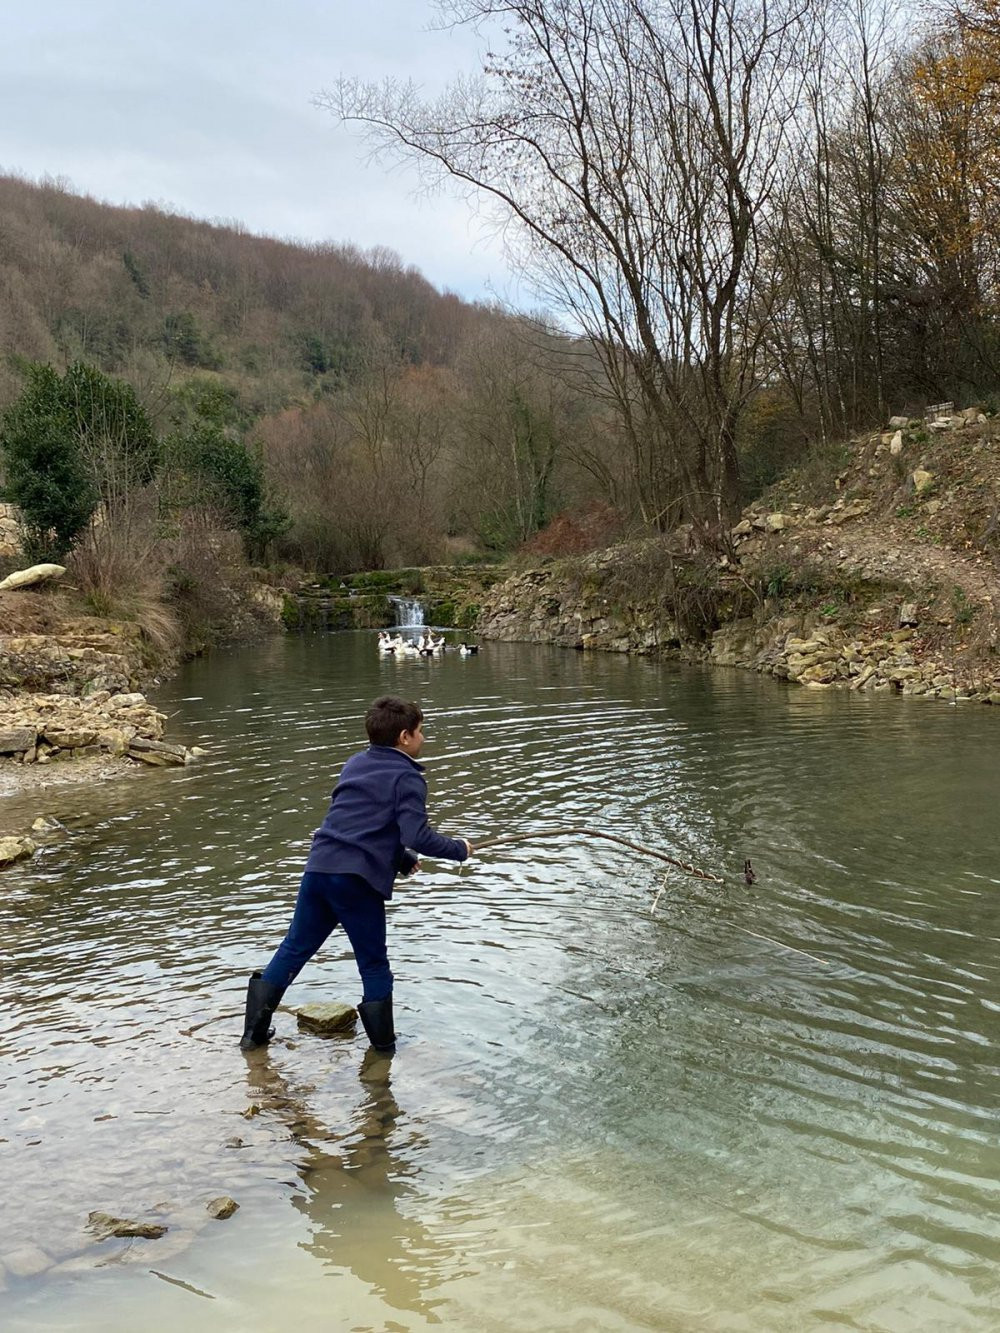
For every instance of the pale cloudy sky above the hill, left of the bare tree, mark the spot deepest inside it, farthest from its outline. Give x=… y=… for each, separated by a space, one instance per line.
x=206 y=107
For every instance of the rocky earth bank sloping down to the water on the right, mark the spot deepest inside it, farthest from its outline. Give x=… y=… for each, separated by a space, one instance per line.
x=890 y=582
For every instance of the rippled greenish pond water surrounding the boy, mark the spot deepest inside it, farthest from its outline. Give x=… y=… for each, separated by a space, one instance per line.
x=761 y=1108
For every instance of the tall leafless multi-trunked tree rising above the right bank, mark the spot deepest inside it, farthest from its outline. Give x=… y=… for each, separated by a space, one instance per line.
x=635 y=147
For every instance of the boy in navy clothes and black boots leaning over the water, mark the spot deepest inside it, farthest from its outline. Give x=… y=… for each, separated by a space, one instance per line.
x=375 y=827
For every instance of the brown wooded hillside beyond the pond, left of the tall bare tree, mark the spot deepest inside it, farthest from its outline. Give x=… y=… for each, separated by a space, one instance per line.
x=394 y=423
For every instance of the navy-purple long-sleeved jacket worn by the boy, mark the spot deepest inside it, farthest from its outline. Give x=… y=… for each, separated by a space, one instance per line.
x=378 y=811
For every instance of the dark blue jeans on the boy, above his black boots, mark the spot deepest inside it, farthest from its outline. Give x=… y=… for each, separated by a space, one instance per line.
x=326 y=902
